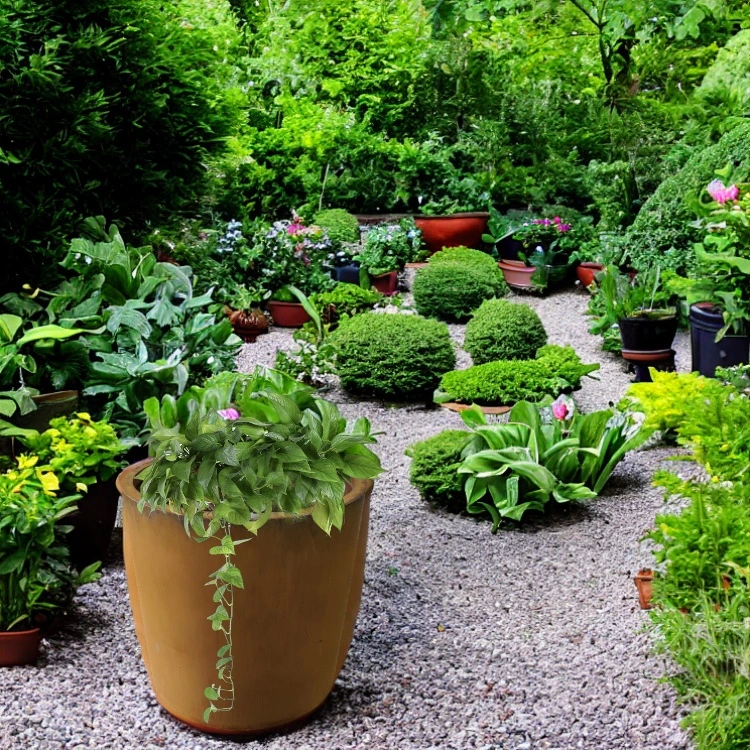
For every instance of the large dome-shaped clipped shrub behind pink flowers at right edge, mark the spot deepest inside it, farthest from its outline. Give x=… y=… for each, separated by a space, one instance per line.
x=662 y=233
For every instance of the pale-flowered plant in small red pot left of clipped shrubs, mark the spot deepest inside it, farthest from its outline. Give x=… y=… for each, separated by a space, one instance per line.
x=388 y=247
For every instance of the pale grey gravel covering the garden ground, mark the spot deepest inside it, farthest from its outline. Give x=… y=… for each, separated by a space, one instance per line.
x=531 y=638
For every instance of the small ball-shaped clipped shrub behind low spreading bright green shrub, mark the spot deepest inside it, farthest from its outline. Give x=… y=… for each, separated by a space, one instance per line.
x=504 y=330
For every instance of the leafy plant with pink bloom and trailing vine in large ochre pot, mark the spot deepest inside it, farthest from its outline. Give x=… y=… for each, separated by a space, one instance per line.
x=250 y=445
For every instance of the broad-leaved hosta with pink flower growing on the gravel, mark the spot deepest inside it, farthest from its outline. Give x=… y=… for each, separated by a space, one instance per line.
x=543 y=453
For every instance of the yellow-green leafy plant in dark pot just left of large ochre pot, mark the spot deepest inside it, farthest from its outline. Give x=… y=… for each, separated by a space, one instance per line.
x=86 y=455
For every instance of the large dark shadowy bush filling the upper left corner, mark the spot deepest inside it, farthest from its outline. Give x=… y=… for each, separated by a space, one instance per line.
x=108 y=108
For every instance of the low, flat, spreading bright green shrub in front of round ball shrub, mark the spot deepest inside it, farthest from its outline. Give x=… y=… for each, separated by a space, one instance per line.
x=556 y=369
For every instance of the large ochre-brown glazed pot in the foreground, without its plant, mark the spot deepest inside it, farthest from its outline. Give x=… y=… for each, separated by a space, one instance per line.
x=293 y=621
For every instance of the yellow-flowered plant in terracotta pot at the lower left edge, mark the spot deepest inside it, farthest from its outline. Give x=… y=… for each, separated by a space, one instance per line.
x=37 y=580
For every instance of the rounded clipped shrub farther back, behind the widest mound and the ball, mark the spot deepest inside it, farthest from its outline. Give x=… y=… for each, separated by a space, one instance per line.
x=451 y=291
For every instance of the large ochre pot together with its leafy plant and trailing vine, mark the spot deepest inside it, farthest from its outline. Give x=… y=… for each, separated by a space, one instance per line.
x=259 y=450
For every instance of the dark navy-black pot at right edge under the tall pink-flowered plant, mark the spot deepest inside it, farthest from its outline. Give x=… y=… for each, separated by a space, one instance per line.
x=706 y=321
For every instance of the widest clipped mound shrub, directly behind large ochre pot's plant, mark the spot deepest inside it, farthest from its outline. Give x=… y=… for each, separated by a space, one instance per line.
x=393 y=356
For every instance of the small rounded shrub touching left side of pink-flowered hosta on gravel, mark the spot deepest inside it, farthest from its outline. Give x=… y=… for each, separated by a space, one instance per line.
x=434 y=468
